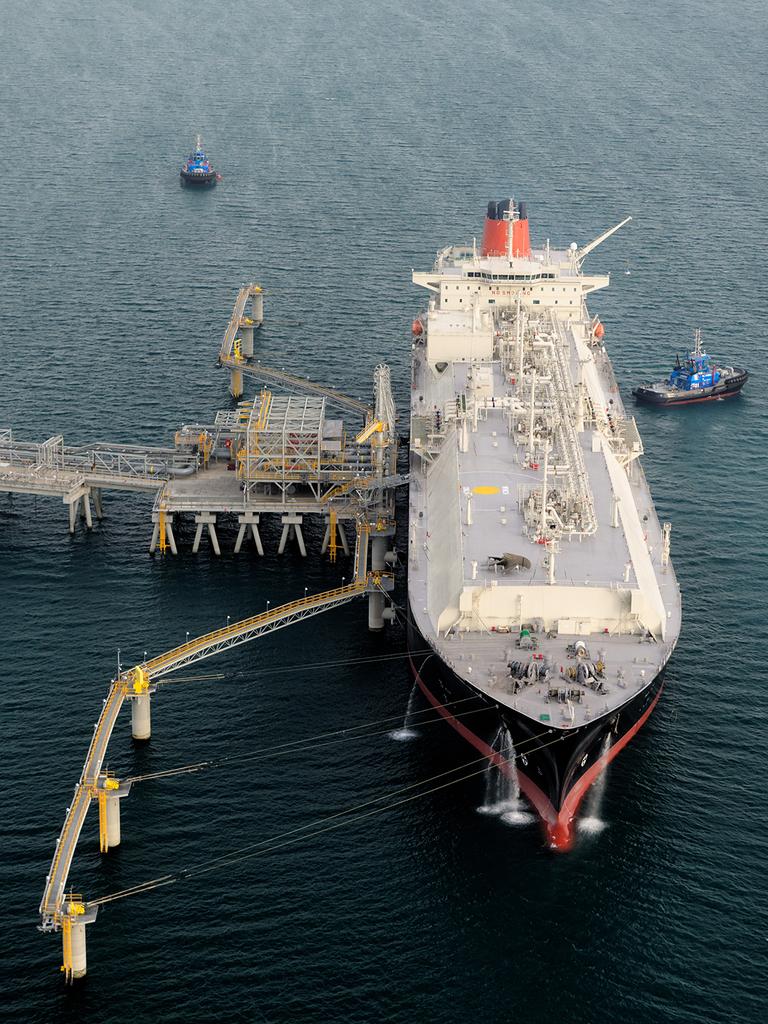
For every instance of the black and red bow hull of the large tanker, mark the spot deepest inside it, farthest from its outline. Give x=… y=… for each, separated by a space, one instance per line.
x=556 y=767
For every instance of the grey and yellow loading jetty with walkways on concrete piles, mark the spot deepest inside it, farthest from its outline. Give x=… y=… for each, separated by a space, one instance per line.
x=309 y=451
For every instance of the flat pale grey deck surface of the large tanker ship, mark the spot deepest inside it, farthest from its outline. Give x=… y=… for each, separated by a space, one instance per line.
x=492 y=476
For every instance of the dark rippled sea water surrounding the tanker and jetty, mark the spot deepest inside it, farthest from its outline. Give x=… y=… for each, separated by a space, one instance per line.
x=356 y=139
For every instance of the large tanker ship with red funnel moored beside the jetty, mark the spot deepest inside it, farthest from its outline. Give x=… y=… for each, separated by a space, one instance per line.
x=540 y=578
